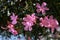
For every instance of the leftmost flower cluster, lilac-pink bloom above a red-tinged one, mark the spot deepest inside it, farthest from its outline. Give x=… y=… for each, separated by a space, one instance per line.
x=11 y=26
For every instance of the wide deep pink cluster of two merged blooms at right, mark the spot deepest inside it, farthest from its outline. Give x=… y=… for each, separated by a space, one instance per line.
x=49 y=22
